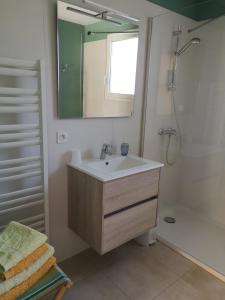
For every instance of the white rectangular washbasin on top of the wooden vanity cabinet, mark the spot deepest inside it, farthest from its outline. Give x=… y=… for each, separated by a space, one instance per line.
x=116 y=166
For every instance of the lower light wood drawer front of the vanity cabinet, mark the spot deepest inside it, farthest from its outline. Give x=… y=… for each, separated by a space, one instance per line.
x=126 y=225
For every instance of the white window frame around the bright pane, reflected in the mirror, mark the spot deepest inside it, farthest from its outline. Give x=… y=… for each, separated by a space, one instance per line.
x=113 y=38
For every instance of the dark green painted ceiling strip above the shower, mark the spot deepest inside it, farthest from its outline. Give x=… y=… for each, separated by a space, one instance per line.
x=198 y=10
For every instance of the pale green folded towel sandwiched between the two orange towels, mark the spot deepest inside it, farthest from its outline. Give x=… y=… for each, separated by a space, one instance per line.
x=8 y=284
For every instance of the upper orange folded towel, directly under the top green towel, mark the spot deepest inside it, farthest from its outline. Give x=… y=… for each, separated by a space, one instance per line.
x=24 y=263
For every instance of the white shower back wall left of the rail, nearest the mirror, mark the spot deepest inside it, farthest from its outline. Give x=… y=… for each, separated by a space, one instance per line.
x=160 y=112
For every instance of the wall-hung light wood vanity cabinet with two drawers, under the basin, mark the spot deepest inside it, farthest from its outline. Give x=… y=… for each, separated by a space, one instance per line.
x=108 y=214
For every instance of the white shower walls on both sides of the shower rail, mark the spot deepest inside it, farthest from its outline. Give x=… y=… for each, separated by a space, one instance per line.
x=196 y=181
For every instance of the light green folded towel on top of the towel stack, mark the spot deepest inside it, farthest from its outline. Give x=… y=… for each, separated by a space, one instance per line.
x=17 y=241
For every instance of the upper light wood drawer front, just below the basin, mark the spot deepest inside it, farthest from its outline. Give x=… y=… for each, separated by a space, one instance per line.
x=132 y=189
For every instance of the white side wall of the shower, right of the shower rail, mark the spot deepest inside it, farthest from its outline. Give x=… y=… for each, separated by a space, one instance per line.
x=202 y=187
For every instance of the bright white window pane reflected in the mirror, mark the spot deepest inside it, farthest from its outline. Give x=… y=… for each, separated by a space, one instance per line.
x=122 y=66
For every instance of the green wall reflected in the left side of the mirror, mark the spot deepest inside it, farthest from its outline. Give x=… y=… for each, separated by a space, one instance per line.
x=71 y=81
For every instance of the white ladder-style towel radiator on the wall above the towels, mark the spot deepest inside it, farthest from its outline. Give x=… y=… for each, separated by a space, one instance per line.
x=30 y=202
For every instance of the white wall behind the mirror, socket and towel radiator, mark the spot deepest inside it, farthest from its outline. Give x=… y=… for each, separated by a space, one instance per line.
x=28 y=31
